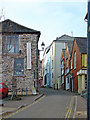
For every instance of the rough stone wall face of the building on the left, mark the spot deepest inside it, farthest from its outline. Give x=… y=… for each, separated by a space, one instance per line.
x=25 y=81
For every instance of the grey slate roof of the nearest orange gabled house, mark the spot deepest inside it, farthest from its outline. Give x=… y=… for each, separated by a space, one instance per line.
x=82 y=44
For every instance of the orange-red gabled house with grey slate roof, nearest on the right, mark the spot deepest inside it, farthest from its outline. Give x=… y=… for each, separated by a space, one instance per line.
x=78 y=50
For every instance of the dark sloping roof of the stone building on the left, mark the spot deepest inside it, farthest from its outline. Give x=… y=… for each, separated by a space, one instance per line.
x=9 y=26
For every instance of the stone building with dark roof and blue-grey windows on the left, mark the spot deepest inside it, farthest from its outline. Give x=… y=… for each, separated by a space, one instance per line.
x=18 y=55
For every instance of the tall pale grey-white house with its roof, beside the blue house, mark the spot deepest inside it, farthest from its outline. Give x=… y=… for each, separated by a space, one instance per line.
x=56 y=50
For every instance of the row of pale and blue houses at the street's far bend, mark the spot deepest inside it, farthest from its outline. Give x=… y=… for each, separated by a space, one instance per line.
x=51 y=58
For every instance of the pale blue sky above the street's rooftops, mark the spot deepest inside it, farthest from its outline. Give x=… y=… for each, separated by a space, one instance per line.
x=53 y=18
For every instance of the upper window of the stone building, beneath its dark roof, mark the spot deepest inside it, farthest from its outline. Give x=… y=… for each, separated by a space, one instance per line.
x=11 y=44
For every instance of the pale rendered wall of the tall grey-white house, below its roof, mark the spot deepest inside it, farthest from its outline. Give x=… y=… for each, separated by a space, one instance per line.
x=57 y=50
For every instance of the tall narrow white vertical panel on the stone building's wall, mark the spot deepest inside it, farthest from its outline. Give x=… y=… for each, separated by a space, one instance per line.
x=28 y=55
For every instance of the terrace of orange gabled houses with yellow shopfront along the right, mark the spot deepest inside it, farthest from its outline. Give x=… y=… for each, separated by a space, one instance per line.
x=74 y=65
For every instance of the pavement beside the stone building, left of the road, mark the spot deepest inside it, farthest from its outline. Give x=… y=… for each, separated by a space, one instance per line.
x=11 y=106
